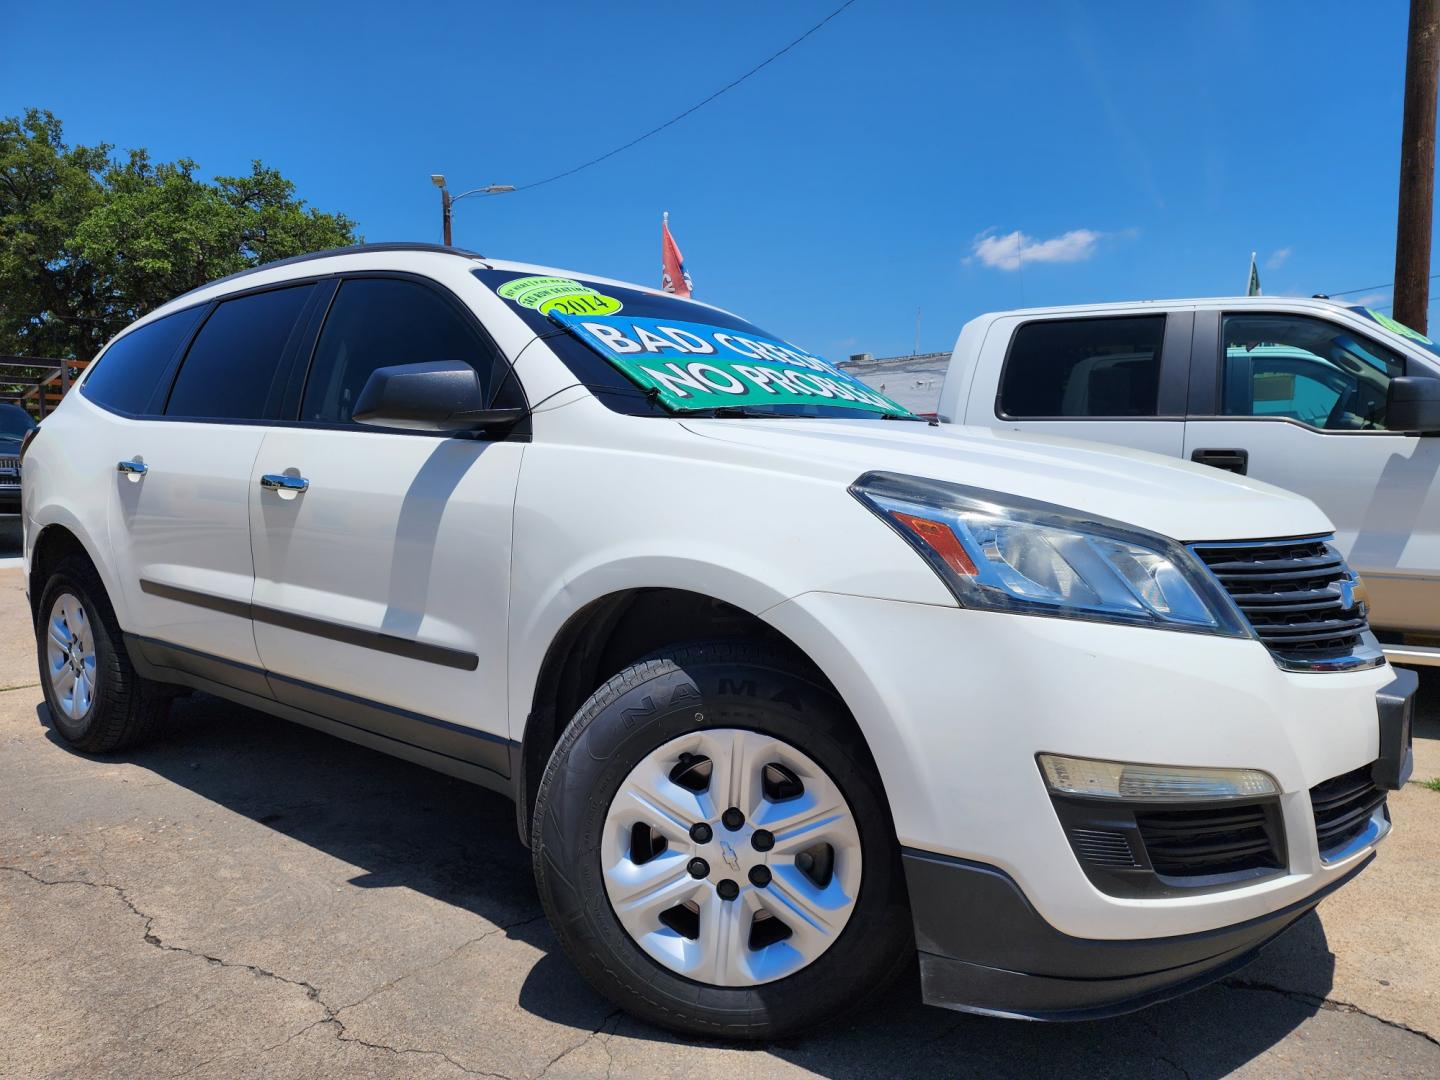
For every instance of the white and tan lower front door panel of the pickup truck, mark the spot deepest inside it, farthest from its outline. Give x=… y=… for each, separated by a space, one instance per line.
x=1382 y=492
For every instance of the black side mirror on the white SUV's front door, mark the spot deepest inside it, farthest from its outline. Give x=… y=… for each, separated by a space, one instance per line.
x=438 y=397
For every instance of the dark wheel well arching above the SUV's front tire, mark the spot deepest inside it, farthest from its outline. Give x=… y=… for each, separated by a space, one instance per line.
x=610 y=636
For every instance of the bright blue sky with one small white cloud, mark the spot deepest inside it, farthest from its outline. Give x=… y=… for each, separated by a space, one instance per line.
x=886 y=165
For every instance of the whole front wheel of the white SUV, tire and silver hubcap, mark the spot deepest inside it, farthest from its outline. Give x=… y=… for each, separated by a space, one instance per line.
x=715 y=852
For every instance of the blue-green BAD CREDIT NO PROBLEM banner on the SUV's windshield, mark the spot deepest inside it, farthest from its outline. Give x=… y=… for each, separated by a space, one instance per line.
x=693 y=366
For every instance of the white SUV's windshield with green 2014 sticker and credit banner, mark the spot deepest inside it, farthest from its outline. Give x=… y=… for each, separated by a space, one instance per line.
x=656 y=355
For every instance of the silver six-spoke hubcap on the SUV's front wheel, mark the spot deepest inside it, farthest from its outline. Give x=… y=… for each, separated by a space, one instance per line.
x=731 y=858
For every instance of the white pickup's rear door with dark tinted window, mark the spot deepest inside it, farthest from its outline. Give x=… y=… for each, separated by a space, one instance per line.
x=1118 y=379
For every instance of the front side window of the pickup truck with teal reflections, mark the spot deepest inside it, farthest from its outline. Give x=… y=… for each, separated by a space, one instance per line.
x=1308 y=371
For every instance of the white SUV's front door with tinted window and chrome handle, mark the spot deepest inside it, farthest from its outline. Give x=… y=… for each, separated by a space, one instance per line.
x=382 y=558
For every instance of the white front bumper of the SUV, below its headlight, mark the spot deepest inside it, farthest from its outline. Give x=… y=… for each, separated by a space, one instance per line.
x=955 y=705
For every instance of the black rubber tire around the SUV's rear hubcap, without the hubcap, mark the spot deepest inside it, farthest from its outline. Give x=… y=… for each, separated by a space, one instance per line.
x=126 y=709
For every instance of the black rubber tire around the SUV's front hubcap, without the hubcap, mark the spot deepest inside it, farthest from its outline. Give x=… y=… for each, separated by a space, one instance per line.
x=732 y=685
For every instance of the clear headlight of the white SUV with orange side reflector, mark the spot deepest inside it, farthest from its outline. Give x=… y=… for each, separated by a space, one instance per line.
x=1038 y=559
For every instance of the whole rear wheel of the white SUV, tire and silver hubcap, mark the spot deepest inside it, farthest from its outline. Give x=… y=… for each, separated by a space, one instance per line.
x=96 y=698
